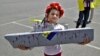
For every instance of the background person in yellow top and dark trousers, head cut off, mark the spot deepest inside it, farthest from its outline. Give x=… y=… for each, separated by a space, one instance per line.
x=84 y=10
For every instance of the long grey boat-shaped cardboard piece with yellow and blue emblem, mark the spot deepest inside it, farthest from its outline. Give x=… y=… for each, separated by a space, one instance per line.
x=46 y=38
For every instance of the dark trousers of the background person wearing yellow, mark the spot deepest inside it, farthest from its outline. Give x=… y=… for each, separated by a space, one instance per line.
x=83 y=17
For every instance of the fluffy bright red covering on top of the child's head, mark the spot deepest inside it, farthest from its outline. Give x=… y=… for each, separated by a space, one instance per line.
x=55 y=5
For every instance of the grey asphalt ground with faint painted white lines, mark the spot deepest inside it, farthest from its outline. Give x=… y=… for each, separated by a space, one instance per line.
x=15 y=17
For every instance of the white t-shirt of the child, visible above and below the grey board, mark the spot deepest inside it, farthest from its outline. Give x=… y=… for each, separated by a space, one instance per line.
x=52 y=50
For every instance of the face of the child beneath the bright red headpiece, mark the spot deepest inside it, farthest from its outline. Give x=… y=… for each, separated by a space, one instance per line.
x=53 y=16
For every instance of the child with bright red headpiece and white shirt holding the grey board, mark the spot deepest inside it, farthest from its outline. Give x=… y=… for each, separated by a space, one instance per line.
x=54 y=12
